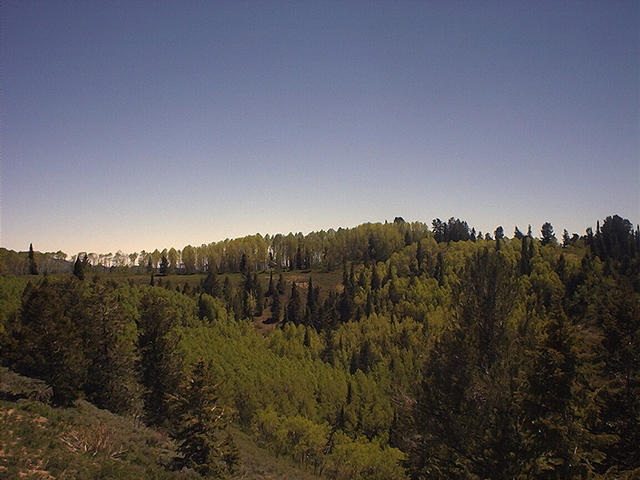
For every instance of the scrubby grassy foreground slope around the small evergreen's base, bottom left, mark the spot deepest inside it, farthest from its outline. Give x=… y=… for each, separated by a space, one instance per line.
x=41 y=442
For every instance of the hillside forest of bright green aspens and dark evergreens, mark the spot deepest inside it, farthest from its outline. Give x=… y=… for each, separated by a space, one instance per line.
x=386 y=351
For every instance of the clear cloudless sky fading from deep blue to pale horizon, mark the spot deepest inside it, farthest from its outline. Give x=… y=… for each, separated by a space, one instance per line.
x=142 y=125
